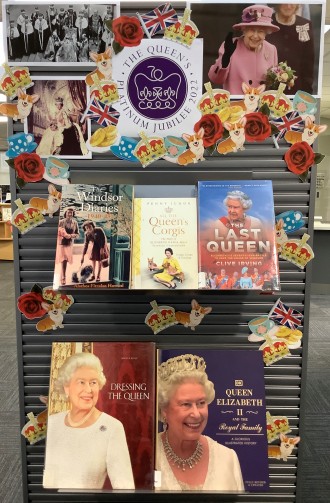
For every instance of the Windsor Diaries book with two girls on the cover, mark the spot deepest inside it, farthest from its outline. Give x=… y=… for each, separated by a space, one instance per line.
x=94 y=237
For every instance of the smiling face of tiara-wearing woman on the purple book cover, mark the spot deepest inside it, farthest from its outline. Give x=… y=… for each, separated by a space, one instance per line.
x=187 y=412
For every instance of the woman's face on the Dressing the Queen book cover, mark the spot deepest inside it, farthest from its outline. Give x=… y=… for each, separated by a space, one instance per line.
x=83 y=388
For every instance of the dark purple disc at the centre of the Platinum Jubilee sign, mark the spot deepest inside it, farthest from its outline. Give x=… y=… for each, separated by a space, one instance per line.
x=157 y=88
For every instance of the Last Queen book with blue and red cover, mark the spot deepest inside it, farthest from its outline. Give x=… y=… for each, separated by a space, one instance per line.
x=236 y=236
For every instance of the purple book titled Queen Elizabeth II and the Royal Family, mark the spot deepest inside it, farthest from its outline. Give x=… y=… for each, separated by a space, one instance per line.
x=233 y=417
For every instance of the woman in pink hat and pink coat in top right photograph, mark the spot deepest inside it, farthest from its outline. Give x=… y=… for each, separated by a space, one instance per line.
x=248 y=57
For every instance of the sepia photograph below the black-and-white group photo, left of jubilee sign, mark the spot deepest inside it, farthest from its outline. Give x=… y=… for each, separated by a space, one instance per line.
x=55 y=118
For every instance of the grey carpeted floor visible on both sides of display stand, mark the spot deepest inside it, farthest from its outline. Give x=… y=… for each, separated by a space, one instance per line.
x=314 y=457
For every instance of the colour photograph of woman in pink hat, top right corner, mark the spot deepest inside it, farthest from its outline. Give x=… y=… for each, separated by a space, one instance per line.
x=243 y=42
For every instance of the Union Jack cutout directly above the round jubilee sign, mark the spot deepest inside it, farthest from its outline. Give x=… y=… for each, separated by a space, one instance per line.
x=158 y=19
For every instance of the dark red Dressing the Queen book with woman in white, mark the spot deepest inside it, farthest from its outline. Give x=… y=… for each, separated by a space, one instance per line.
x=100 y=432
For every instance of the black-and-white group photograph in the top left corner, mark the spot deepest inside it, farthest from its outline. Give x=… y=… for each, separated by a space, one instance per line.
x=56 y=33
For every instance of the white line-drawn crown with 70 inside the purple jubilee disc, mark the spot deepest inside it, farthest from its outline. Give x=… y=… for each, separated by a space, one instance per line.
x=156 y=92
